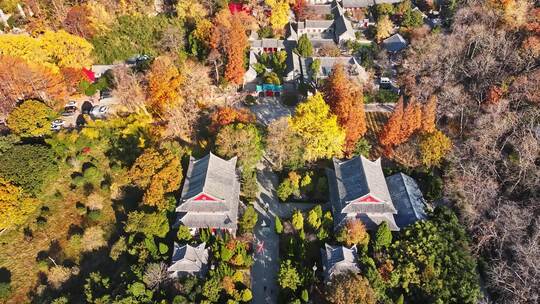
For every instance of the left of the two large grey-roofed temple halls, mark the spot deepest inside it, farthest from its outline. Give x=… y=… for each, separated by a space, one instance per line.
x=210 y=195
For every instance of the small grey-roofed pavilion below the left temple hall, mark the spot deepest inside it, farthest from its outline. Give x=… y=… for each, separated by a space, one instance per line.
x=188 y=260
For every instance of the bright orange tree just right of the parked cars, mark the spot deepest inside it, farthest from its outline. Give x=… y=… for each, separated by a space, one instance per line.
x=164 y=81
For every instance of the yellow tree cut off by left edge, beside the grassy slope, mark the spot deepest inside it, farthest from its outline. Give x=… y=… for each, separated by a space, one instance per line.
x=15 y=206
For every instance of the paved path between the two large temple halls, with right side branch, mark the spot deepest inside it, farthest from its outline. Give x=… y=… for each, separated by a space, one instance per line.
x=266 y=266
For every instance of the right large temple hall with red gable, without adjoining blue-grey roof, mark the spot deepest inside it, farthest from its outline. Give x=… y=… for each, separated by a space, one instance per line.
x=358 y=190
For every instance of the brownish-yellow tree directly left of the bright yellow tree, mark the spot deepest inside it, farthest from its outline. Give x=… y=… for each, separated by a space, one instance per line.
x=283 y=147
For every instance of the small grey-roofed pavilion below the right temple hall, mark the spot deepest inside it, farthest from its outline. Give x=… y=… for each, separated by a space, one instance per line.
x=338 y=260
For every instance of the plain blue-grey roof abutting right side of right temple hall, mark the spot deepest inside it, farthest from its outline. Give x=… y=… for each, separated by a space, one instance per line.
x=407 y=198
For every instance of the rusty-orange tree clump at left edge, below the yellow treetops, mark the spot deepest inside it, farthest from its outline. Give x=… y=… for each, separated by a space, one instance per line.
x=20 y=80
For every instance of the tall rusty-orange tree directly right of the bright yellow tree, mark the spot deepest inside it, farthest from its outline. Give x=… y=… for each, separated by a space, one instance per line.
x=345 y=98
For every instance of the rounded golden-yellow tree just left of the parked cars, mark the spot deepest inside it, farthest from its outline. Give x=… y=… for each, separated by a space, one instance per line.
x=31 y=119
